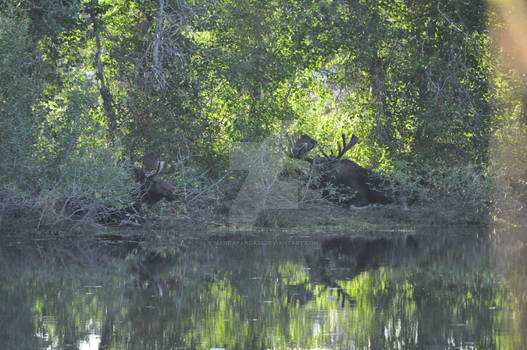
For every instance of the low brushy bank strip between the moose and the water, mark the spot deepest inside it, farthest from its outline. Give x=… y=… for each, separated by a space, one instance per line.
x=317 y=218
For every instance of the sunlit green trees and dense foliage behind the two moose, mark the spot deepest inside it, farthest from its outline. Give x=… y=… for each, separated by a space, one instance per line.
x=86 y=83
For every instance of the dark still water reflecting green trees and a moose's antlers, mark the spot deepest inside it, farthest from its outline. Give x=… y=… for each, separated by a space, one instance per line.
x=429 y=291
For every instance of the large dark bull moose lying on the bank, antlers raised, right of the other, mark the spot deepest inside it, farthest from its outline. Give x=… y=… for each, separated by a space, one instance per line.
x=357 y=185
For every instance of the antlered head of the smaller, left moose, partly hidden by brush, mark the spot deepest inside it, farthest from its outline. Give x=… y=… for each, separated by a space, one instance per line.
x=153 y=188
